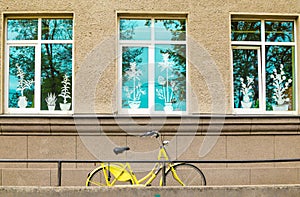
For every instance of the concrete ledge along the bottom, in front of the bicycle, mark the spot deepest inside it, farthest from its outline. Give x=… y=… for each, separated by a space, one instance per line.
x=216 y=191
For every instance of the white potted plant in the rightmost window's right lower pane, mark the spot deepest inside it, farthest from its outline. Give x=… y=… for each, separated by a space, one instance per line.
x=281 y=84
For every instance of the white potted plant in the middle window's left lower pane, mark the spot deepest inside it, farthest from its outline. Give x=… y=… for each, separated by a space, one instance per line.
x=134 y=93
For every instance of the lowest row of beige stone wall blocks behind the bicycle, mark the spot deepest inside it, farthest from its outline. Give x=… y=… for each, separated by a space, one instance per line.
x=214 y=176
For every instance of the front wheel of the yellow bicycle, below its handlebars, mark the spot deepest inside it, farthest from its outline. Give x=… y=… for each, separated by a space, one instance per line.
x=189 y=174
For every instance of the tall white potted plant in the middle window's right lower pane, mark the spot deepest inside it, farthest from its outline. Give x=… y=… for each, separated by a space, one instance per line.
x=168 y=86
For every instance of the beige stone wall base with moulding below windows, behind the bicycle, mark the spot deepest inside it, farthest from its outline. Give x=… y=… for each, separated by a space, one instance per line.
x=240 y=138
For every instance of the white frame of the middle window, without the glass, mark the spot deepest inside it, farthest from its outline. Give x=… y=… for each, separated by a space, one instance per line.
x=150 y=44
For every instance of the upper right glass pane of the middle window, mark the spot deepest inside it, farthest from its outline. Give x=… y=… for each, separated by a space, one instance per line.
x=170 y=29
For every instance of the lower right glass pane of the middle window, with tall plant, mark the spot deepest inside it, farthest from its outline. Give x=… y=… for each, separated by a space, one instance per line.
x=170 y=77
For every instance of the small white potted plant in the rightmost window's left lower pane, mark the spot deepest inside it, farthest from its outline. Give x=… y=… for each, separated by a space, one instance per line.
x=247 y=91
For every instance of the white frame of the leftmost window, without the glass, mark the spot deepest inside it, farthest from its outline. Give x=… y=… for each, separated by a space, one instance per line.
x=37 y=78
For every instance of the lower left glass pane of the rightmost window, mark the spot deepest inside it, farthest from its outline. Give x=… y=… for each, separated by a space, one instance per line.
x=245 y=78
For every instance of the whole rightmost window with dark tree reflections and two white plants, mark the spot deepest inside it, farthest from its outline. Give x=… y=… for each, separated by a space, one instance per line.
x=264 y=65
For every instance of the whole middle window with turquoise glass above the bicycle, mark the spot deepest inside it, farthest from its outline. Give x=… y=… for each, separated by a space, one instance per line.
x=152 y=65
